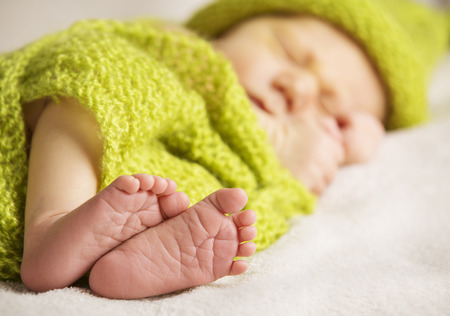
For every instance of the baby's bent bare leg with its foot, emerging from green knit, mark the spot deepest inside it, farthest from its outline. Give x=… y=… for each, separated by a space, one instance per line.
x=67 y=226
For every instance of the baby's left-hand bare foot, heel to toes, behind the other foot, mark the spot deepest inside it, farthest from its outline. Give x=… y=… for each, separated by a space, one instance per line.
x=73 y=243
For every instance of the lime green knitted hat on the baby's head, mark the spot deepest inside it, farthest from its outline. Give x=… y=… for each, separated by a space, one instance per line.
x=403 y=39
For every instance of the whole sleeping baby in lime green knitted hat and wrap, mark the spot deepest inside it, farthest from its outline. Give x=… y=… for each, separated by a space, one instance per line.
x=151 y=158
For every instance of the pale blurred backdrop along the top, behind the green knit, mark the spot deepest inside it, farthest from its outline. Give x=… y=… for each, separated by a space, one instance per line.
x=22 y=21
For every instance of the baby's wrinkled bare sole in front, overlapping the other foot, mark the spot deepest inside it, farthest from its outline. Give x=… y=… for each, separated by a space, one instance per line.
x=194 y=248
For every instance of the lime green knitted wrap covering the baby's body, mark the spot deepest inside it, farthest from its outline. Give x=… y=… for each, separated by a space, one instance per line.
x=167 y=104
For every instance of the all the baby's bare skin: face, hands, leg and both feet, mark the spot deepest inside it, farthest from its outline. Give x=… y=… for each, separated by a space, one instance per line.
x=320 y=112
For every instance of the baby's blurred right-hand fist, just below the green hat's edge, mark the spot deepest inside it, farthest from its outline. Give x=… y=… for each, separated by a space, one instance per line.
x=362 y=134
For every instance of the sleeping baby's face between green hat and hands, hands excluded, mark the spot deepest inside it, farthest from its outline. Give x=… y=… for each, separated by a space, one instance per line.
x=288 y=64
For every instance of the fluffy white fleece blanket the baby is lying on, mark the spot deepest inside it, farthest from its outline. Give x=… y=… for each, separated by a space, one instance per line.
x=379 y=243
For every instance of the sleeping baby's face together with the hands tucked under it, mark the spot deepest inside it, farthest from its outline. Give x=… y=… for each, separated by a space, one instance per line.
x=308 y=81
